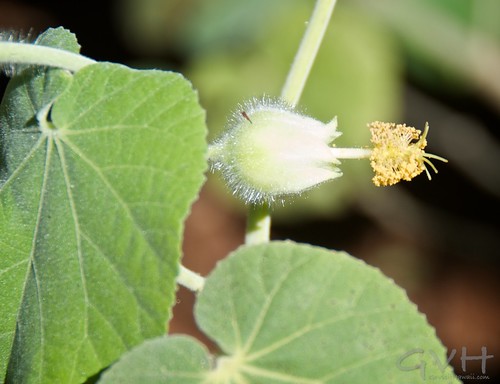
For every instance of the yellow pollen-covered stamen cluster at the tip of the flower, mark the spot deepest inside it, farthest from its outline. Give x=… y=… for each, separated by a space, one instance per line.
x=398 y=153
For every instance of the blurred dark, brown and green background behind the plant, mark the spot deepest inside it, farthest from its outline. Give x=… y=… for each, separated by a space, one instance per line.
x=406 y=61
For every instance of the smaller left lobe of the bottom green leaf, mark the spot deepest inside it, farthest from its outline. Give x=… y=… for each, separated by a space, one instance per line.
x=172 y=359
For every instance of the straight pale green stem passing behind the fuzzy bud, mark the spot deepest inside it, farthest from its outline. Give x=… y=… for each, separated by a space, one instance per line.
x=259 y=218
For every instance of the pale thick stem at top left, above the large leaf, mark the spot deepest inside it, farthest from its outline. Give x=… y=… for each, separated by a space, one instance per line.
x=19 y=53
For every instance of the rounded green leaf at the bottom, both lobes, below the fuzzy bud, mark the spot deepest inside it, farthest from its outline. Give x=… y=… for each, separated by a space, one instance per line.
x=289 y=313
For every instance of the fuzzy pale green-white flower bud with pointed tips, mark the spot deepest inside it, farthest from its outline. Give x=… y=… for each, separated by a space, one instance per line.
x=269 y=150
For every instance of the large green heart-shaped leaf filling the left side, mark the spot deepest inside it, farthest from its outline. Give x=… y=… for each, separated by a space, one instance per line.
x=93 y=196
